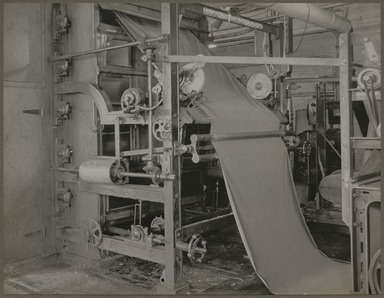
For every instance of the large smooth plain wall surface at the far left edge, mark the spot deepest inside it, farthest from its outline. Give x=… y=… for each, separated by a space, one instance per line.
x=27 y=184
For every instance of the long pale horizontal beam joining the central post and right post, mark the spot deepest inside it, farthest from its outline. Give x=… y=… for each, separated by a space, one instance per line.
x=255 y=60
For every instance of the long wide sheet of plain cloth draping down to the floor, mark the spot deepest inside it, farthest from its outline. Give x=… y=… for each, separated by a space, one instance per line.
x=259 y=183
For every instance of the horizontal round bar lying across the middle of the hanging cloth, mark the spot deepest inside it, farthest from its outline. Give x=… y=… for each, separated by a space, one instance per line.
x=238 y=136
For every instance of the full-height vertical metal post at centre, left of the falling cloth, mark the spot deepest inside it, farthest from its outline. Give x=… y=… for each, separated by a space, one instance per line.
x=171 y=163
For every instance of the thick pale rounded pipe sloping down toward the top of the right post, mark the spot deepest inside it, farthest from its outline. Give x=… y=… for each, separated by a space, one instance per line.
x=314 y=14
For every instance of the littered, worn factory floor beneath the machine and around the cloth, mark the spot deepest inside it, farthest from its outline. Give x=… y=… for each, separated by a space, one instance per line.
x=226 y=269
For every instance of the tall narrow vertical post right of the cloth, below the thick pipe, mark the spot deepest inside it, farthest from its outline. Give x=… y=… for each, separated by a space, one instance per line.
x=346 y=127
